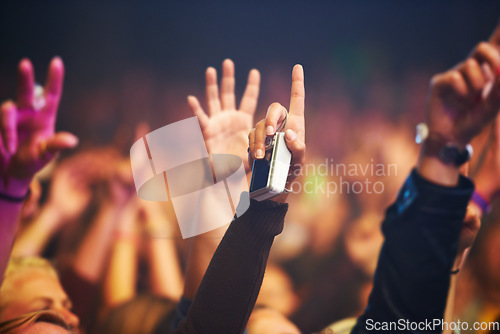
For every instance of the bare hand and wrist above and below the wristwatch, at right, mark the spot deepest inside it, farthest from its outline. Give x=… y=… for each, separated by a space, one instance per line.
x=462 y=101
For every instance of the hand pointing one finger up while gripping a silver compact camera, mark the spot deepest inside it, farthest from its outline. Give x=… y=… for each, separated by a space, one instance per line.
x=294 y=129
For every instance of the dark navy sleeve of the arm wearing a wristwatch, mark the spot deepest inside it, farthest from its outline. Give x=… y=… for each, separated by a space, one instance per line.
x=411 y=282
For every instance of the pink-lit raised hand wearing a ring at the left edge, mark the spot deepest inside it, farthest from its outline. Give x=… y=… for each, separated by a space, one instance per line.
x=28 y=140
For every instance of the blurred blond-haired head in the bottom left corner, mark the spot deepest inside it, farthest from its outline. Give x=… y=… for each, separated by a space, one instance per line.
x=33 y=290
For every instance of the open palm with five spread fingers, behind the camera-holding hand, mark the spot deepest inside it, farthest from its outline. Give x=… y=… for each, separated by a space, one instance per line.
x=225 y=128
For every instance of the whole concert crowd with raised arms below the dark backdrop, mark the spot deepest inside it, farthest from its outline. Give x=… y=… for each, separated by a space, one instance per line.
x=81 y=252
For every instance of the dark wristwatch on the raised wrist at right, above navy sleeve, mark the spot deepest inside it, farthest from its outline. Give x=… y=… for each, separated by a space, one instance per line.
x=436 y=145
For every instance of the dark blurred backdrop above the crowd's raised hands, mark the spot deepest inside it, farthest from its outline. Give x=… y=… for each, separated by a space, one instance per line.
x=127 y=62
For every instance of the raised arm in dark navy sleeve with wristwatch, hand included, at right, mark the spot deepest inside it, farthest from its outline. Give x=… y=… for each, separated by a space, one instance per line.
x=422 y=228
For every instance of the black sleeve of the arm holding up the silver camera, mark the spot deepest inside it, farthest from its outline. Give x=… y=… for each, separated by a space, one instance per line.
x=229 y=289
